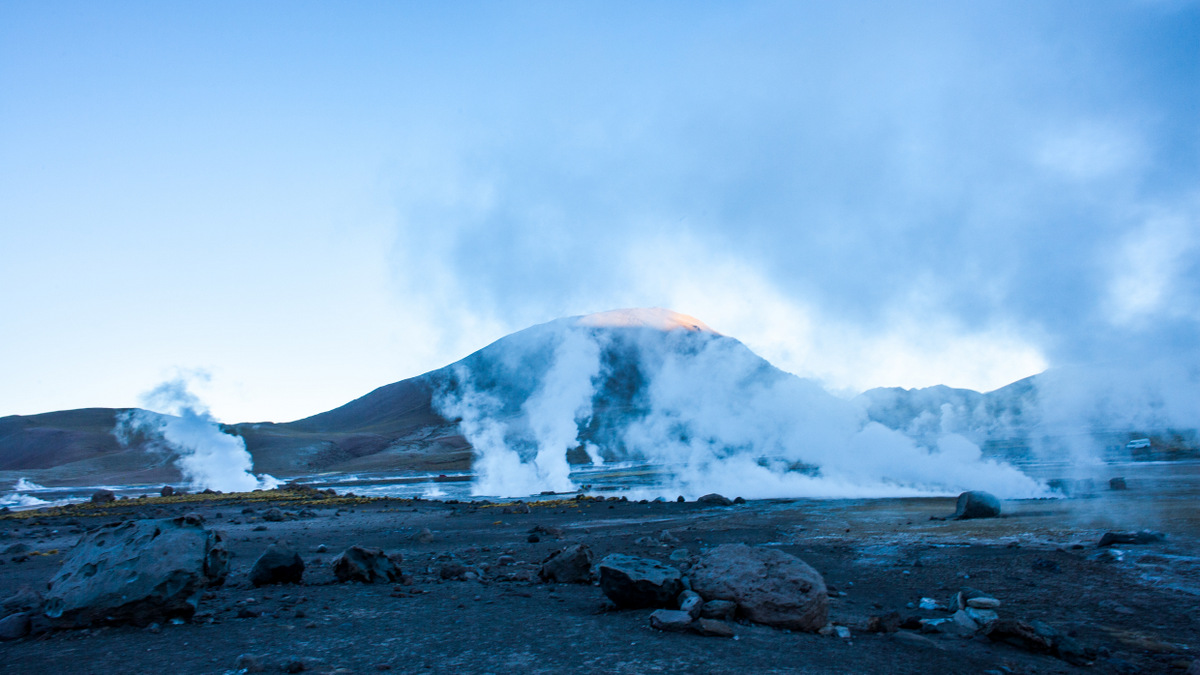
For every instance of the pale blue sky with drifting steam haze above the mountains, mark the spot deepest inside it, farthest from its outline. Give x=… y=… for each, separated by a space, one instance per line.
x=310 y=200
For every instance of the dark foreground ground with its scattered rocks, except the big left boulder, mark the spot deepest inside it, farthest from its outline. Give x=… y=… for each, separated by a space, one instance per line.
x=467 y=588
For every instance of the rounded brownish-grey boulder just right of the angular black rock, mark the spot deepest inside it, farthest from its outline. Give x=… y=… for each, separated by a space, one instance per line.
x=769 y=587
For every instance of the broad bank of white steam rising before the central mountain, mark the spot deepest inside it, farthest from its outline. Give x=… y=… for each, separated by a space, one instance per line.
x=701 y=407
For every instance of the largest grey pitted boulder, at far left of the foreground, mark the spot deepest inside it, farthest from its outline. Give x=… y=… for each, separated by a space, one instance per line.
x=137 y=572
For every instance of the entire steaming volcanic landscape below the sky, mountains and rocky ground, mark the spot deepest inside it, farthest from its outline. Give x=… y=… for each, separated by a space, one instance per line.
x=620 y=493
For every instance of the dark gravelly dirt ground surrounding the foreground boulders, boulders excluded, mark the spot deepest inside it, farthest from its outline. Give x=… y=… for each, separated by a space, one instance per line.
x=1136 y=611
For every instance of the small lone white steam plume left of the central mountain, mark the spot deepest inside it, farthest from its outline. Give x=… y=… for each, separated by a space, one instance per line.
x=187 y=432
